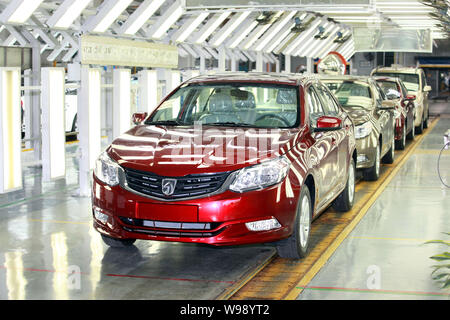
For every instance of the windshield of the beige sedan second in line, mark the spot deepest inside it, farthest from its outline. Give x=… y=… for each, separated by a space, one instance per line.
x=351 y=93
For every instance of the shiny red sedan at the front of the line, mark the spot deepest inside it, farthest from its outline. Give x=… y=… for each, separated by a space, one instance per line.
x=228 y=159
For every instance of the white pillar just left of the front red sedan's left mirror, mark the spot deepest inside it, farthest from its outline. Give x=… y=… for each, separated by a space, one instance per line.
x=121 y=101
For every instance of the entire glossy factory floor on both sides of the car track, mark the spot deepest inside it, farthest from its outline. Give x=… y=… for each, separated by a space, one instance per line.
x=49 y=250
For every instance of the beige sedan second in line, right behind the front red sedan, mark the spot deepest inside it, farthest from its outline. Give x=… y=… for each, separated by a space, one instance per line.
x=373 y=117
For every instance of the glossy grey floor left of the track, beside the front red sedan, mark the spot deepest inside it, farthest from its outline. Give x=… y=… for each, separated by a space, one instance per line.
x=49 y=250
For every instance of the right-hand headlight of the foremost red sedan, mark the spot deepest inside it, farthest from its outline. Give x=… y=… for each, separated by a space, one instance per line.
x=260 y=176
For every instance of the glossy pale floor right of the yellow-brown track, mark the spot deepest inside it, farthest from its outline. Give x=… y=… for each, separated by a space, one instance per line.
x=384 y=257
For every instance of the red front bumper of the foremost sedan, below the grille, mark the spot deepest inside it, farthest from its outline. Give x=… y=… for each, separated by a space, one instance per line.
x=224 y=215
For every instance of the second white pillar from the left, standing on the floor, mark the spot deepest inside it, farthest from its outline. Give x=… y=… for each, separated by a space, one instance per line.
x=53 y=123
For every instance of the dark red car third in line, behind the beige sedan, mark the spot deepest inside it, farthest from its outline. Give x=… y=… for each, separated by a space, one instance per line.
x=395 y=90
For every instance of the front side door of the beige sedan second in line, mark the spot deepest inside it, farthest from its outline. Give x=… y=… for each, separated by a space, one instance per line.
x=385 y=119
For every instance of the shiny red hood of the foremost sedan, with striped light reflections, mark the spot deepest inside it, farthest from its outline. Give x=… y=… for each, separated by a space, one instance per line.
x=179 y=151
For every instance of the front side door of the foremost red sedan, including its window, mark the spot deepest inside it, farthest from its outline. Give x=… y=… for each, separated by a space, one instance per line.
x=324 y=151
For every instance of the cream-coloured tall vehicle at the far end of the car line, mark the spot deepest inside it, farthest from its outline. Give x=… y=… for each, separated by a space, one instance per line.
x=416 y=84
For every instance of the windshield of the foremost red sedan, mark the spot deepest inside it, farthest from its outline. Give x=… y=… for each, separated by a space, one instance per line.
x=230 y=104
